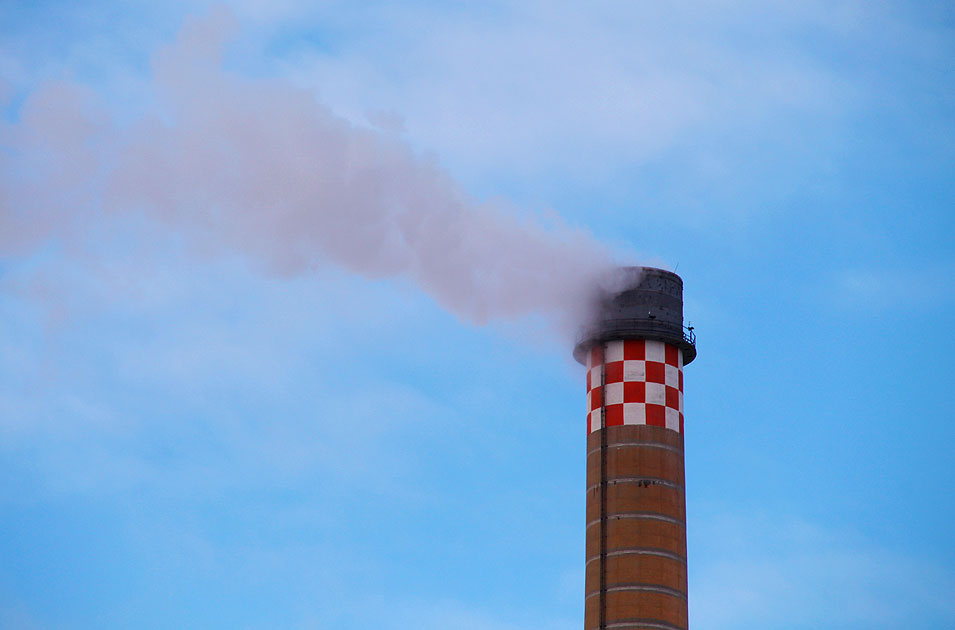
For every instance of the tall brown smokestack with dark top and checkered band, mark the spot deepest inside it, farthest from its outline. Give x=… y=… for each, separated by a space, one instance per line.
x=636 y=507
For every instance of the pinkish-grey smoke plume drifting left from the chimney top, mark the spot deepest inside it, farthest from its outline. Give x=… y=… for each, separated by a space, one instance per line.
x=257 y=166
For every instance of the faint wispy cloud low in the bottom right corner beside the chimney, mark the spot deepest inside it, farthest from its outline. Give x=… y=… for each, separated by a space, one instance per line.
x=759 y=571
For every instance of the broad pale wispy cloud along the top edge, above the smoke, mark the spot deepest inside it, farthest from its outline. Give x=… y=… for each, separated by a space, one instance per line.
x=587 y=89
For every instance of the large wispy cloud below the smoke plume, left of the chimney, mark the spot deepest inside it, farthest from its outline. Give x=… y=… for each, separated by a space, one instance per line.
x=129 y=393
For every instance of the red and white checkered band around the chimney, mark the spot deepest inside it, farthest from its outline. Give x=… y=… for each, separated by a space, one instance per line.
x=639 y=381
